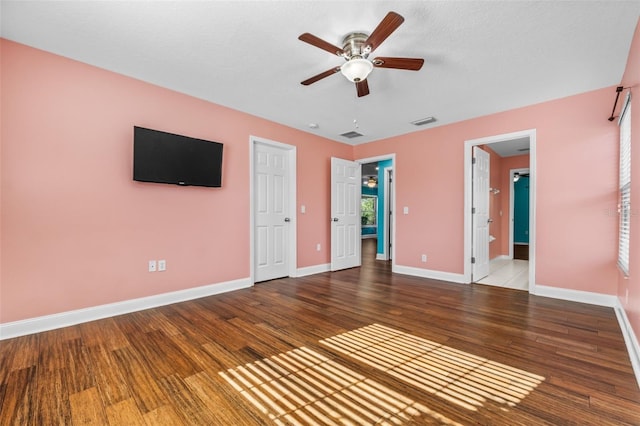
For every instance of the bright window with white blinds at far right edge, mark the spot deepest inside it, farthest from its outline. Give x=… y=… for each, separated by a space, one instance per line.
x=624 y=205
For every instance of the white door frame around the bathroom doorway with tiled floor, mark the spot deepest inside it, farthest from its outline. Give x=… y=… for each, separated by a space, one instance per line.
x=468 y=187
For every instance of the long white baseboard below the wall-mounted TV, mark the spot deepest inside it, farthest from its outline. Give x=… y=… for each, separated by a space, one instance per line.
x=65 y=319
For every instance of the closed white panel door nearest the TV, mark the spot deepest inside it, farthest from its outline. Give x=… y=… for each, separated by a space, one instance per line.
x=271 y=203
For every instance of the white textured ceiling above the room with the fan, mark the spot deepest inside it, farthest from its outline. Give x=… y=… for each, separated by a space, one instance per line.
x=481 y=57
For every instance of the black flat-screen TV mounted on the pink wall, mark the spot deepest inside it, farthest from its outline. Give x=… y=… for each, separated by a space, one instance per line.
x=162 y=157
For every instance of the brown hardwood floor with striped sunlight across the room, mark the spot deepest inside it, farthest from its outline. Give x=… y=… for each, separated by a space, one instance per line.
x=360 y=346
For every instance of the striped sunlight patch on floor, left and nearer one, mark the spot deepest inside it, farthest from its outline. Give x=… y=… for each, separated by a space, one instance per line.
x=303 y=387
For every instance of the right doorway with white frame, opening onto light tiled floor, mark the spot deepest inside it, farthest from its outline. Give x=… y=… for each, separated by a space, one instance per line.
x=509 y=224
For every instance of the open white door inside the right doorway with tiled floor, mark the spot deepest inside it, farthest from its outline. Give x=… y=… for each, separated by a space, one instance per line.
x=480 y=214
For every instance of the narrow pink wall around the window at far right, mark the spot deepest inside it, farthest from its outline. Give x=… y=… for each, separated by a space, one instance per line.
x=631 y=78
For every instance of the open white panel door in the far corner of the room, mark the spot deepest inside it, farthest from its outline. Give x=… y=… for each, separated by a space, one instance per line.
x=345 y=214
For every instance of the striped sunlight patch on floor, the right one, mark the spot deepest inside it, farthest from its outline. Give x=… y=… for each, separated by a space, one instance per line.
x=456 y=376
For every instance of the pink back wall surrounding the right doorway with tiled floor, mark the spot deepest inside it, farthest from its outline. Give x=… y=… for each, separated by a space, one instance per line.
x=576 y=187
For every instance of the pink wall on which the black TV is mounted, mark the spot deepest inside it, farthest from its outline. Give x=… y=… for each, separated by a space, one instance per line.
x=77 y=231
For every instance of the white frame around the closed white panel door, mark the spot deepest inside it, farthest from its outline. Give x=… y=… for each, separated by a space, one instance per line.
x=293 y=238
